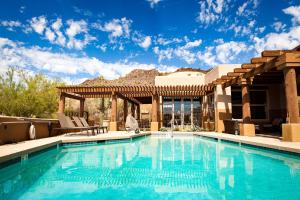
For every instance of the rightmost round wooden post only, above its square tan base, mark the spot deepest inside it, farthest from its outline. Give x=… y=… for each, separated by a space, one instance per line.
x=291 y=95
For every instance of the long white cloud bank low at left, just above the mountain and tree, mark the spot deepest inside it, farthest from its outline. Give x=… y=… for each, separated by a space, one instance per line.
x=65 y=65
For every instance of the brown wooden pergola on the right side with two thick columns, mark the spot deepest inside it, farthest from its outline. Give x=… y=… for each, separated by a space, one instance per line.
x=271 y=67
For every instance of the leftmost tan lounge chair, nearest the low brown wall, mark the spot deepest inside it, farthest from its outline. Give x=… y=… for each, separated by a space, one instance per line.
x=67 y=124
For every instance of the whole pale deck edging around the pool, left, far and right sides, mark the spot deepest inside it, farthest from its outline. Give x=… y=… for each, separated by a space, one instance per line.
x=12 y=151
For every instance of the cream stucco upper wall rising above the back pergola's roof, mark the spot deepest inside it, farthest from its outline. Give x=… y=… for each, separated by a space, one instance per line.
x=181 y=78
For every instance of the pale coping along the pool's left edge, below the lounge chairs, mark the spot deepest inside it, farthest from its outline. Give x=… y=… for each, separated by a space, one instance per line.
x=12 y=153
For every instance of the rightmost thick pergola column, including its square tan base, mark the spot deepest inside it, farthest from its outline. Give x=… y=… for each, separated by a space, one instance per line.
x=291 y=130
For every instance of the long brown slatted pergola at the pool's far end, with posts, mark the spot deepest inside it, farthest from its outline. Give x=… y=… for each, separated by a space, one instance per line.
x=136 y=95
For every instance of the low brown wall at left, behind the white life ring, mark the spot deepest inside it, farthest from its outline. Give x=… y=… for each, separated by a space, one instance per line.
x=16 y=129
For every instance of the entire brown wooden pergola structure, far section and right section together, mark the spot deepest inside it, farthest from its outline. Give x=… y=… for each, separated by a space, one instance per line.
x=273 y=66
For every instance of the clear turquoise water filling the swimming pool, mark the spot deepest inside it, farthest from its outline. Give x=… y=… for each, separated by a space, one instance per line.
x=154 y=168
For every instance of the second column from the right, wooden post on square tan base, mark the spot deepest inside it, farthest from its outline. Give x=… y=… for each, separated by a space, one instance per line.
x=246 y=127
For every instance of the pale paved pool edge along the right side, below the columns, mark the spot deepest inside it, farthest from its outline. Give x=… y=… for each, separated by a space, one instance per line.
x=260 y=141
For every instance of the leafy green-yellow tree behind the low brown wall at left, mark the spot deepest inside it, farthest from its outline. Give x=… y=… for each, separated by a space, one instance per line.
x=27 y=95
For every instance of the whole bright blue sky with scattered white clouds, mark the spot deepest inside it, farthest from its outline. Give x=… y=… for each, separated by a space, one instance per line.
x=76 y=40
